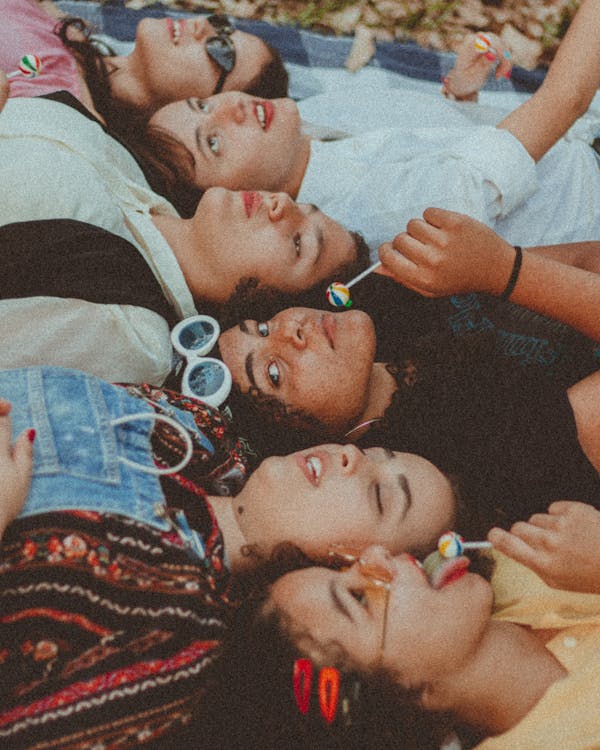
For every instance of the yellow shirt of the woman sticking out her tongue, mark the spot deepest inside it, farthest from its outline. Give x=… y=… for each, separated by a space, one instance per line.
x=568 y=715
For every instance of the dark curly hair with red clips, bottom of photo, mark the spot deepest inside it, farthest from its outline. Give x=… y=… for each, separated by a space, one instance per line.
x=251 y=701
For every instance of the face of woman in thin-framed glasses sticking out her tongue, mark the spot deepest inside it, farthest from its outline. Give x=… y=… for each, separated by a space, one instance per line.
x=428 y=632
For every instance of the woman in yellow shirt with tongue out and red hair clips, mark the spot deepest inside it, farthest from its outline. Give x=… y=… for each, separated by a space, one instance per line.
x=376 y=656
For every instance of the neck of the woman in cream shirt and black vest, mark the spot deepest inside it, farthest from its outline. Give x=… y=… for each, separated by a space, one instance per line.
x=184 y=238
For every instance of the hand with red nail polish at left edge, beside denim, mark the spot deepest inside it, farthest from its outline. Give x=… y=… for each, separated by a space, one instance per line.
x=15 y=468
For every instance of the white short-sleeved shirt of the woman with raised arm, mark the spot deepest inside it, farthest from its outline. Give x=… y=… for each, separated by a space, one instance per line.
x=377 y=181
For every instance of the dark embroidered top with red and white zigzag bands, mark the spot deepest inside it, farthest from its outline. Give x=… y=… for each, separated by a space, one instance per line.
x=106 y=629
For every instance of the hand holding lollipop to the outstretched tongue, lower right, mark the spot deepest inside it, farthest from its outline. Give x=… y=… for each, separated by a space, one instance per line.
x=562 y=546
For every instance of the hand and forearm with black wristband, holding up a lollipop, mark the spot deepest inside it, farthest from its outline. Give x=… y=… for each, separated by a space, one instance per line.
x=449 y=253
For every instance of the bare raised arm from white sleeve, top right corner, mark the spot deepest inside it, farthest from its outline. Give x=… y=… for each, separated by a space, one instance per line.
x=570 y=84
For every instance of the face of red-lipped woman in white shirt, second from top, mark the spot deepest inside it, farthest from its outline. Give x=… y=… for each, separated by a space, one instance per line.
x=238 y=141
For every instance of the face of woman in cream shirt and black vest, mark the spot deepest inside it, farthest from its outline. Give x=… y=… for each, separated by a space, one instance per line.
x=268 y=236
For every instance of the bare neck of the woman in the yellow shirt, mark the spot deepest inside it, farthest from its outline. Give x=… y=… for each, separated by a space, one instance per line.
x=507 y=677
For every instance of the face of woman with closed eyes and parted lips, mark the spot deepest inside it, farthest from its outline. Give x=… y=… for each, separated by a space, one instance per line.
x=347 y=496
